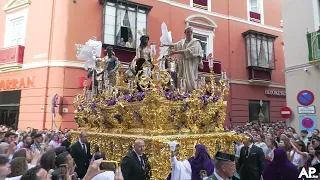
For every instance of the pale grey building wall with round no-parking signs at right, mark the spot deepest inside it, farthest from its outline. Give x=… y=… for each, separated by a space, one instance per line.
x=301 y=51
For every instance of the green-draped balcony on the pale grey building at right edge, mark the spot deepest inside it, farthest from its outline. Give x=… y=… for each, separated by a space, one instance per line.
x=314 y=47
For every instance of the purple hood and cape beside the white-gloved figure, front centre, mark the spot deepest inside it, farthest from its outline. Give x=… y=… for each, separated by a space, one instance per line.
x=201 y=161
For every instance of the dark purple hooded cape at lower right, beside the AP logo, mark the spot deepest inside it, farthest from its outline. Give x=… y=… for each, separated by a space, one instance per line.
x=280 y=168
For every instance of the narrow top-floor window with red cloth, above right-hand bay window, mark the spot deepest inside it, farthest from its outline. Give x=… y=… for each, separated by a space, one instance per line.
x=255 y=10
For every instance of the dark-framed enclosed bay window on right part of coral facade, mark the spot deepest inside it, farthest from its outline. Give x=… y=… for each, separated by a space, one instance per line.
x=260 y=49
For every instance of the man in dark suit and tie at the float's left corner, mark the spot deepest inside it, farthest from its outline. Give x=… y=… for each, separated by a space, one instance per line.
x=80 y=151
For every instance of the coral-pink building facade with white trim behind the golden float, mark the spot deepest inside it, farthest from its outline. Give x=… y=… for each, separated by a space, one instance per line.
x=38 y=54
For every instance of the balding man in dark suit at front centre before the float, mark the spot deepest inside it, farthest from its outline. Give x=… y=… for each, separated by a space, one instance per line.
x=135 y=165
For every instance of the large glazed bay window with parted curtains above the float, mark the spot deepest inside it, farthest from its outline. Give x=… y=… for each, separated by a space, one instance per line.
x=123 y=21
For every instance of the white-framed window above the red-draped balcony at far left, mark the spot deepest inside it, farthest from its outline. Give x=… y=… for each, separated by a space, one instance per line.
x=17 y=31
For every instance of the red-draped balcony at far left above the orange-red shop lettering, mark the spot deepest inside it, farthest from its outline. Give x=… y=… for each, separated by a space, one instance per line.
x=11 y=58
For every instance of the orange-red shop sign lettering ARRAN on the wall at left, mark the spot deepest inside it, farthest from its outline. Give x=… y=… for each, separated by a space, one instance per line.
x=21 y=83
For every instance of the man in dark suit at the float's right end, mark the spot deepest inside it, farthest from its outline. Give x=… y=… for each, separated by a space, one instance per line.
x=251 y=161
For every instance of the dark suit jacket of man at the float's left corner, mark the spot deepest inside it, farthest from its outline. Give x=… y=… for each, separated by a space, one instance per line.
x=81 y=158
